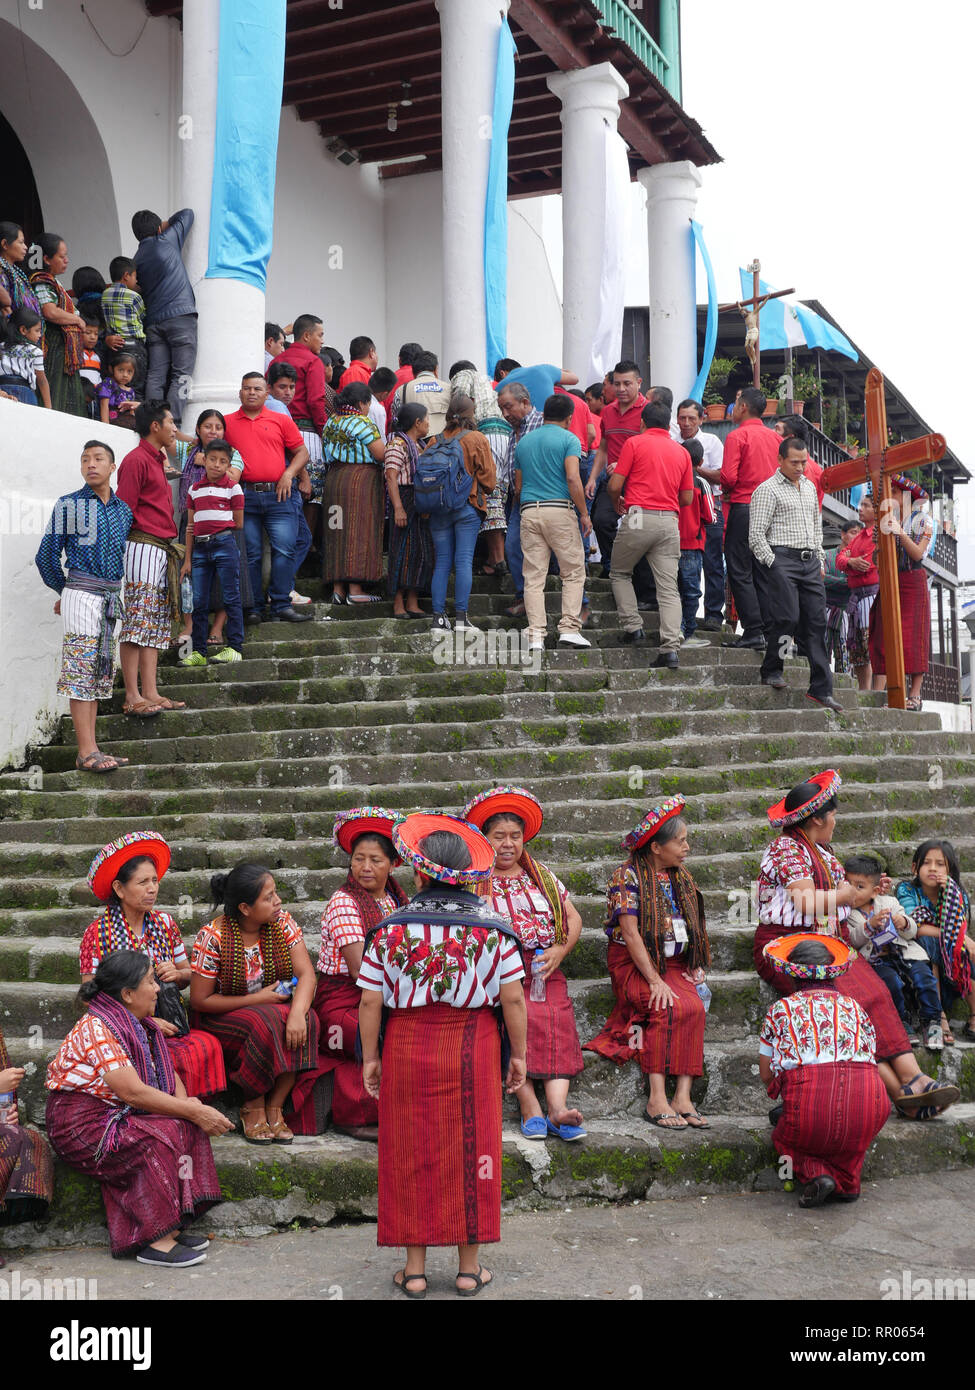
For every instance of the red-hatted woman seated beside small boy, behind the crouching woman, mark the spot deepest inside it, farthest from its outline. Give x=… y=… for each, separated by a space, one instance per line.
x=802 y=888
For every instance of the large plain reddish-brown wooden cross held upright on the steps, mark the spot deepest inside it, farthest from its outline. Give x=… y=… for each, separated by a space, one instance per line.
x=876 y=469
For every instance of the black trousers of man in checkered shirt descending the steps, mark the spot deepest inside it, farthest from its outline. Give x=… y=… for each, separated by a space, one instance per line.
x=798 y=612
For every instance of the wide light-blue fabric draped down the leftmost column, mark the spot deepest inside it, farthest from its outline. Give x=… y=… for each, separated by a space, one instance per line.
x=250 y=85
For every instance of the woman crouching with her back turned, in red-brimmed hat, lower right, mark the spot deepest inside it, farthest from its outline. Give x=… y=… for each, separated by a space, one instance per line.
x=817 y=1053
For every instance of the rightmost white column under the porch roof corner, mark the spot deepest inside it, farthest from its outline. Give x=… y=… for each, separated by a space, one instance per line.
x=671 y=205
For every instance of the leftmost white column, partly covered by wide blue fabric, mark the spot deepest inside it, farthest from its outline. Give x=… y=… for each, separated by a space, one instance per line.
x=232 y=315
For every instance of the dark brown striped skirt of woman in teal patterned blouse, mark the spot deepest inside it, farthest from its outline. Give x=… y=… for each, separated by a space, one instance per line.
x=353 y=532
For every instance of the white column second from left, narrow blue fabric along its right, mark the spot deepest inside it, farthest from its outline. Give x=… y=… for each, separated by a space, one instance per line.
x=469 y=59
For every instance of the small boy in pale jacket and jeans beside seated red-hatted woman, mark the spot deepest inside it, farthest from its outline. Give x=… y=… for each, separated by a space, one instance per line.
x=887 y=936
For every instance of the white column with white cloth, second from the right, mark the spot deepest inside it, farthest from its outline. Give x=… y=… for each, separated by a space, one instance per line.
x=590 y=102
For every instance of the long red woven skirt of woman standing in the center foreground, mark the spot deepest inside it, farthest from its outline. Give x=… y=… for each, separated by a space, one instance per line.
x=440 y=1128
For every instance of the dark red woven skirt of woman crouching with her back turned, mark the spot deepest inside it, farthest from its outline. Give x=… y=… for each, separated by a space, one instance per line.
x=832 y=1113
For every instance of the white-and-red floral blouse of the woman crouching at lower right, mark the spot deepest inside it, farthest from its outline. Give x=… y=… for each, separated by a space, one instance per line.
x=816 y=1027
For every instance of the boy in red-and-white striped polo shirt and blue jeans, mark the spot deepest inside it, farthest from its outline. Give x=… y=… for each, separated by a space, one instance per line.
x=215 y=511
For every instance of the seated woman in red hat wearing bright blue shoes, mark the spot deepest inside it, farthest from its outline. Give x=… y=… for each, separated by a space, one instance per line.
x=538 y=906
